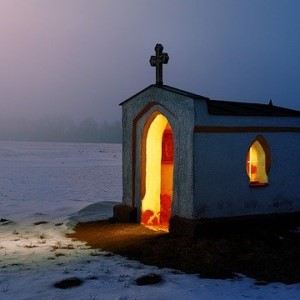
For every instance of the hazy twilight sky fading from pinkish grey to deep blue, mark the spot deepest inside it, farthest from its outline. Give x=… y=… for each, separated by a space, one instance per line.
x=81 y=58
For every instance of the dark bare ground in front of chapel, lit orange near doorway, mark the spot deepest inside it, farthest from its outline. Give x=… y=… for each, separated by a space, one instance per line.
x=264 y=254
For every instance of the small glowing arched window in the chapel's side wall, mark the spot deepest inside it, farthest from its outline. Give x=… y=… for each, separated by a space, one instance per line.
x=258 y=162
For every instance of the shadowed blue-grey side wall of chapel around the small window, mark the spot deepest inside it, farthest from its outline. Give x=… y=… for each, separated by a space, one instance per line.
x=221 y=182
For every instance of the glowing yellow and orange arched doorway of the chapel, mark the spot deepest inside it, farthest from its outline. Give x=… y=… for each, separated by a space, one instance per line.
x=157 y=172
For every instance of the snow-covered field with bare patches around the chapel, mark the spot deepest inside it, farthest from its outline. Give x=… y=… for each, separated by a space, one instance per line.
x=45 y=188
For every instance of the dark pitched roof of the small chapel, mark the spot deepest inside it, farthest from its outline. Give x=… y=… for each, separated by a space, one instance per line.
x=233 y=108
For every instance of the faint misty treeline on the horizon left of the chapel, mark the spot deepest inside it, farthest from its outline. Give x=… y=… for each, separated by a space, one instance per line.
x=60 y=129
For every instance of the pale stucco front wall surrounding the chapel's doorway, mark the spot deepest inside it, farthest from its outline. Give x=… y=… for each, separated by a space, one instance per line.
x=179 y=111
